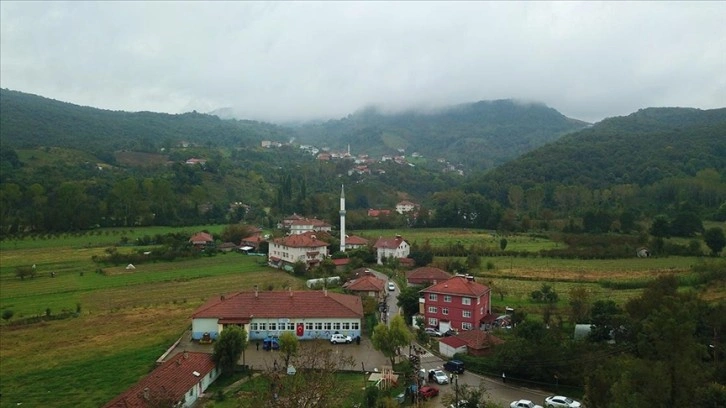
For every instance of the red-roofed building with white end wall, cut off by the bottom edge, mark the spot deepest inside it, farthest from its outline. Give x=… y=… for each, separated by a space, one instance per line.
x=178 y=382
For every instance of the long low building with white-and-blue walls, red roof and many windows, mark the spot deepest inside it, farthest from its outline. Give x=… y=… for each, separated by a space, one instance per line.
x=308 y=314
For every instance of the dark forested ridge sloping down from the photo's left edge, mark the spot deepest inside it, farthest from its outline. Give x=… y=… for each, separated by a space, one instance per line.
x=28 y=121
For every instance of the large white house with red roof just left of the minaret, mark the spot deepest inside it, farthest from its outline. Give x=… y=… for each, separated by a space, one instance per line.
x=286 y=251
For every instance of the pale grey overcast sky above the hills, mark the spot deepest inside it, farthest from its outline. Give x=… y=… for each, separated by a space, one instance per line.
x=279 y=61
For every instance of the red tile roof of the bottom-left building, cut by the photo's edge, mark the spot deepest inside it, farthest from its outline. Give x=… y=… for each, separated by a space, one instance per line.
x=171 y=380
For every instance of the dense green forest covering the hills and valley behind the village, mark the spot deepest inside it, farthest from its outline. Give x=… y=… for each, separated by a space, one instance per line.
x=66 y=167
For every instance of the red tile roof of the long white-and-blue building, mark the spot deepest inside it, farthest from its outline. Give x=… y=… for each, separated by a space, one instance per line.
x=295 y=304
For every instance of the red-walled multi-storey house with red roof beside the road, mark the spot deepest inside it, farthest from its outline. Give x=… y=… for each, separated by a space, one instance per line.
x=458 y=303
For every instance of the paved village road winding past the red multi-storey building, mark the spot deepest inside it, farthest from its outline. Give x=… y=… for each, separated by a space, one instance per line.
x=500 y=392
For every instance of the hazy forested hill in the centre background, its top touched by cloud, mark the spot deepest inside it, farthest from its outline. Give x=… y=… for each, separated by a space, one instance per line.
x=479 y=135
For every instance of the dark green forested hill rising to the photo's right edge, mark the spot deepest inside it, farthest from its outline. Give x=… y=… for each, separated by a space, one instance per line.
x=642 y=148
